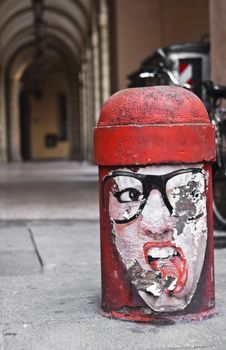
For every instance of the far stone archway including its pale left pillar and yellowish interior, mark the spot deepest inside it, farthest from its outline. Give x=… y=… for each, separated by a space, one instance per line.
x=41 y=110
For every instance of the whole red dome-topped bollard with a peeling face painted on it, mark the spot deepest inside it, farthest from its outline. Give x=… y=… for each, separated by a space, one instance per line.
x=154 y=147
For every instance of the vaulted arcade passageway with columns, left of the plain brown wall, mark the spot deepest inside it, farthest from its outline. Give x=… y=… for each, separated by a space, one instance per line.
x=54 y=76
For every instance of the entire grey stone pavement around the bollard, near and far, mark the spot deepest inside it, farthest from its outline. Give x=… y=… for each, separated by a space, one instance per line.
x=50 y=270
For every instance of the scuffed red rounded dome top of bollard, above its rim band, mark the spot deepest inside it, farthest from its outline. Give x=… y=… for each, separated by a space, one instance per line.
x=151 y=105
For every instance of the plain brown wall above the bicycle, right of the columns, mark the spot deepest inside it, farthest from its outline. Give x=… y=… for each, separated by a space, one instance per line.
x=142 y=26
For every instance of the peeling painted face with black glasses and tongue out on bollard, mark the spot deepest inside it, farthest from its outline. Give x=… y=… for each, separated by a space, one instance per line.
x=159 y=229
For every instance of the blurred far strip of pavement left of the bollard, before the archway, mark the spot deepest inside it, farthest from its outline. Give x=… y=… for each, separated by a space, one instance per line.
x=55 y=190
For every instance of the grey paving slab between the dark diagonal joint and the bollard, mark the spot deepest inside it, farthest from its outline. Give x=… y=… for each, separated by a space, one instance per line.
x=67 y=247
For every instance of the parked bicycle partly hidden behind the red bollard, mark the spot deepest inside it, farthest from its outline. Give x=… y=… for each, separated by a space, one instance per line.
x=215 y=94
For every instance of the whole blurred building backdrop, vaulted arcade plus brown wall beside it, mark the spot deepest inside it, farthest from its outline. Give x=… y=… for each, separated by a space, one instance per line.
x=60 y=60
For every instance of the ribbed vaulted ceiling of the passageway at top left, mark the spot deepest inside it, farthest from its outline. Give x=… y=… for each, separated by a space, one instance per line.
x=43 y=26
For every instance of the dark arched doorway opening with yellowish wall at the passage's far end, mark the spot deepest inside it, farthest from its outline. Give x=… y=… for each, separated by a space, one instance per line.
x=43 y=104
